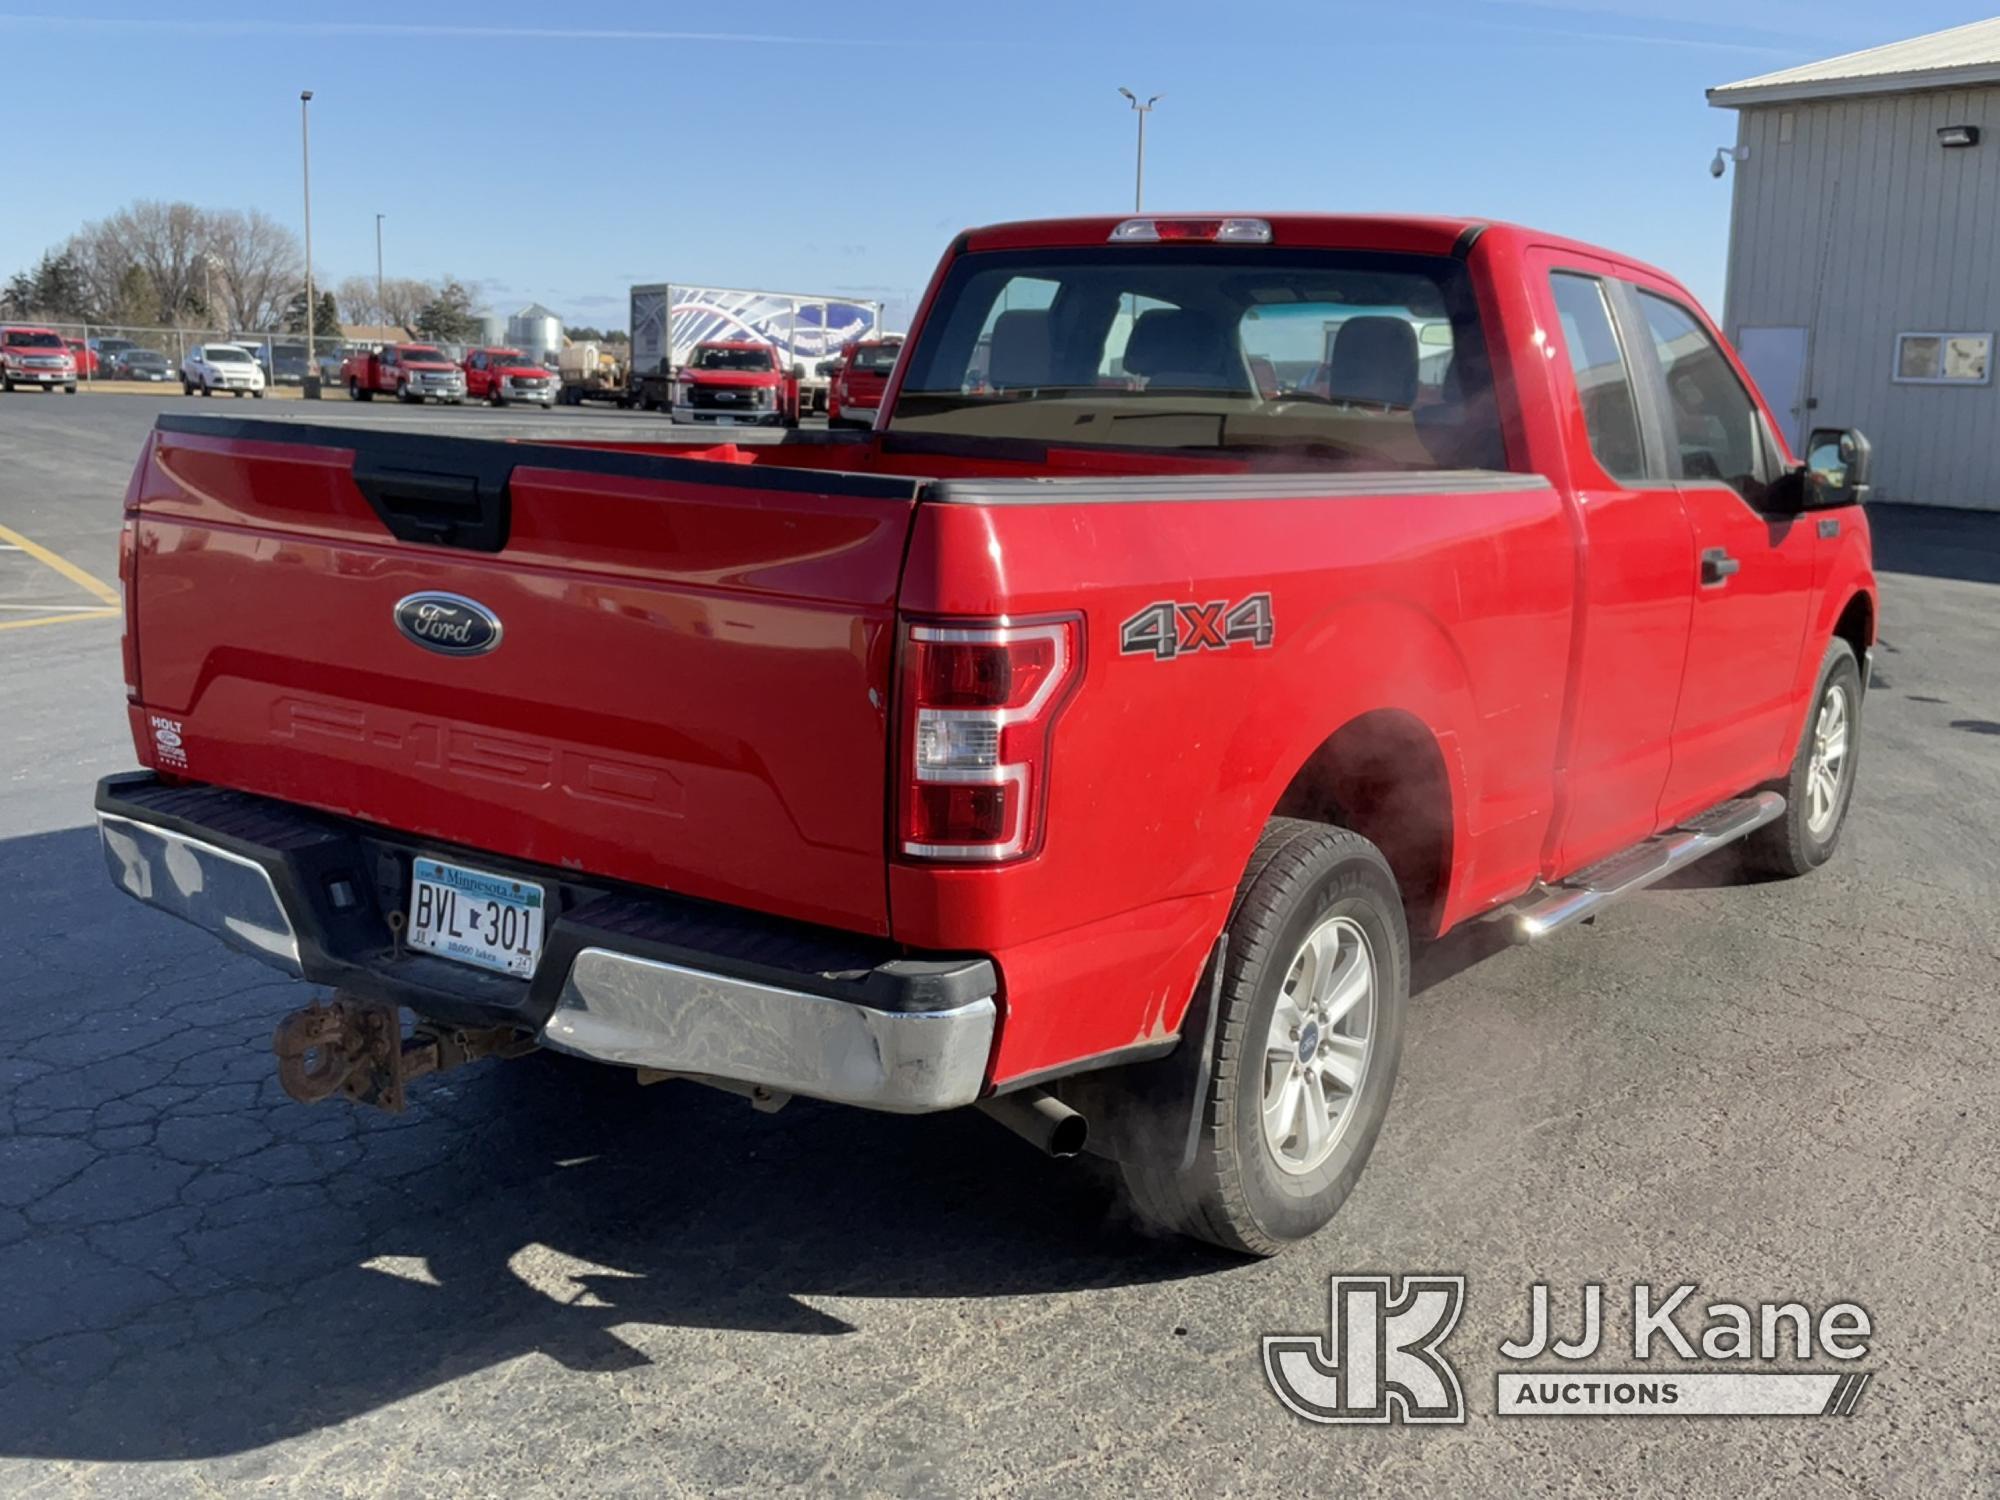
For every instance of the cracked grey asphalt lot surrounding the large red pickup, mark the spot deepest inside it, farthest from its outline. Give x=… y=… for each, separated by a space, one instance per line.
x=549 y=1281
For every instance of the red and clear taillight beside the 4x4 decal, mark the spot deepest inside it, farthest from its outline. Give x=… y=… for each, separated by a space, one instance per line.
x=981 y=705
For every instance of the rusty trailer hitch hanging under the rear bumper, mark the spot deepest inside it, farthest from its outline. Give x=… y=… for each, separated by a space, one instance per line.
x=357 y=1049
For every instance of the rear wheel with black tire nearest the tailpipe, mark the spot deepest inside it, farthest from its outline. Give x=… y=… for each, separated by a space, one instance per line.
x=1315 y=899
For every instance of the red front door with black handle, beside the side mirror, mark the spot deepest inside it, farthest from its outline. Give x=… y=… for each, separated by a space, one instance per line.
x=1753 y=577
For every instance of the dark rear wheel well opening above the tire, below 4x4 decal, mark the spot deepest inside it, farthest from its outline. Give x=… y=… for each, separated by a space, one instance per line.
x=1385 y=779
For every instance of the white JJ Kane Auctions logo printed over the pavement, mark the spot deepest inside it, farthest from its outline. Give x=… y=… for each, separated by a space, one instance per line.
x=1381 y=1357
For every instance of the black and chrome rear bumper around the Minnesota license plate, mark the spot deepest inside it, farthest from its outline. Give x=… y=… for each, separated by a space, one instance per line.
x=627 y=977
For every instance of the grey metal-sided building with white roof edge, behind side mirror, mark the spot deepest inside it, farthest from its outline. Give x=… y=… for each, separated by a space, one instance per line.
x=1865 y=255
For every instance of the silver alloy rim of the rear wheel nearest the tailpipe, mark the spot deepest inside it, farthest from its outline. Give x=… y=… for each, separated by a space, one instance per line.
x=1319 y=1045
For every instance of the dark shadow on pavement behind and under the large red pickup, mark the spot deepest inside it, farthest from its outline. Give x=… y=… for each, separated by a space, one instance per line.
x=193 y=1265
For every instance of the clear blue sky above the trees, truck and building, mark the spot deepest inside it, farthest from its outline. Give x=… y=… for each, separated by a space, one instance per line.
x=561 y=155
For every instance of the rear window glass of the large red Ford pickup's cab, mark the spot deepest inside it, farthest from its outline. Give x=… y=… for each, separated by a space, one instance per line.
x=1367 y=359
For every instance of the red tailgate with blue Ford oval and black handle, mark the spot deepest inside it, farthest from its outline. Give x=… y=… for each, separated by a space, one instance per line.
x=685 y=683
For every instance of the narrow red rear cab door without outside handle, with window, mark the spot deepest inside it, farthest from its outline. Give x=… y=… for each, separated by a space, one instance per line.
x=1635 y=587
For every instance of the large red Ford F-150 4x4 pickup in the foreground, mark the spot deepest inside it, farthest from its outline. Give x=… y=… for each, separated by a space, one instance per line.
x=1219 y=607
